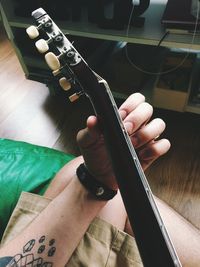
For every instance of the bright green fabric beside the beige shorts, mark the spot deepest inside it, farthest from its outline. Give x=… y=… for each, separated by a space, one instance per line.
x=25 y=167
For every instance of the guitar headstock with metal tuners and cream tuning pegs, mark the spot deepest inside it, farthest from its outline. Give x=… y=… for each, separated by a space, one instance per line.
x=59 y=53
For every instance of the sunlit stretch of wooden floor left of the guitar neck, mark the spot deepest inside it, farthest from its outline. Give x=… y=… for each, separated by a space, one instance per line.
x=28 y=112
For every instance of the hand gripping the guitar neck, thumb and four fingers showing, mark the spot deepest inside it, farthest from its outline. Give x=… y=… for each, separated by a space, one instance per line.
x=136 y=114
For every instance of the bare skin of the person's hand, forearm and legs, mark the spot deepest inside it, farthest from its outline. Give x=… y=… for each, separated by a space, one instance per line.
x=82 y=208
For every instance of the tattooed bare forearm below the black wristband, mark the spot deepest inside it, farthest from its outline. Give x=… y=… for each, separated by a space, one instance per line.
x=63 y=222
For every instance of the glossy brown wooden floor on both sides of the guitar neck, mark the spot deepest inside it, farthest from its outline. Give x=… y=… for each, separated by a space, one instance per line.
x=28 y=113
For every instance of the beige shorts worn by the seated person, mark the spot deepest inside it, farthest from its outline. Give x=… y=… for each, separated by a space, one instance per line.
x=102 y=245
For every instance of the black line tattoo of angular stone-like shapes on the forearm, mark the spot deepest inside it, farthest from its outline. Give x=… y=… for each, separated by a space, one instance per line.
x=28 y=258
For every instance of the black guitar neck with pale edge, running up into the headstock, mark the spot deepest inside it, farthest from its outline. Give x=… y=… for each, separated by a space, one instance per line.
x=152 y=239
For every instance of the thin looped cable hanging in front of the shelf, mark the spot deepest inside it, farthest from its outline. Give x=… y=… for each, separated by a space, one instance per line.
x=173 y=68
